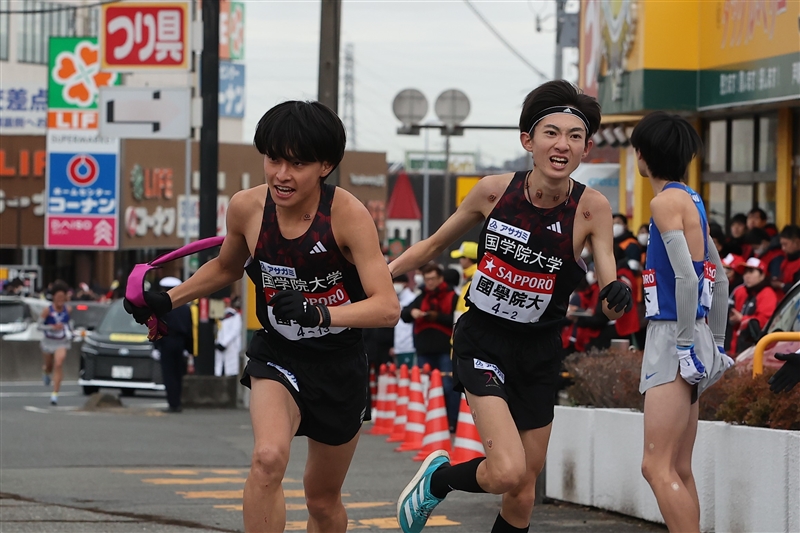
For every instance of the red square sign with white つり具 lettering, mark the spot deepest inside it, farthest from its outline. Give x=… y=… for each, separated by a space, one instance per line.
x=145 y=36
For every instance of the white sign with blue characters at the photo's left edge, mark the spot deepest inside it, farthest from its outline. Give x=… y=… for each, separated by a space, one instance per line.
x=23 y=108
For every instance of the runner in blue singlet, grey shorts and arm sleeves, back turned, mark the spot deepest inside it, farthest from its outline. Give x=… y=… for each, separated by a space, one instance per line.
x=685 y=291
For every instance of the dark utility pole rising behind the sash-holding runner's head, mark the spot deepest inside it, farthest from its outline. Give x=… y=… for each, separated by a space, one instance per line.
x=328 y=85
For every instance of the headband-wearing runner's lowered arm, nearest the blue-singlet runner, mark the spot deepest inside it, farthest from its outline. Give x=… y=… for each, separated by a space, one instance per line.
x=602 y=238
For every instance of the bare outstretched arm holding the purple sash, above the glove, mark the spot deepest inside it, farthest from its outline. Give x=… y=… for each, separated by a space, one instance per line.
x=228 y=266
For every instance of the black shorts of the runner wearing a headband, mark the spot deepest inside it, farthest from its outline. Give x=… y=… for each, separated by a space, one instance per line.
x=523 y=369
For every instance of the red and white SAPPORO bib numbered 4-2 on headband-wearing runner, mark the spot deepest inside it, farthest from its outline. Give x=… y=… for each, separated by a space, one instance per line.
x=510 y=293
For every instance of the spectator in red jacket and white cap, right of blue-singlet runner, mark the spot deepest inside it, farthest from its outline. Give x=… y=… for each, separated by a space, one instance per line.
x=759 y=302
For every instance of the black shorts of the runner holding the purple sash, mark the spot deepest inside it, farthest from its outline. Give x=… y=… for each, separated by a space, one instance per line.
x=331 y=389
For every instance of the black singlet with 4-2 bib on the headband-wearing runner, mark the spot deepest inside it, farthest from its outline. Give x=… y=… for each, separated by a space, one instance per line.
x=527 y=268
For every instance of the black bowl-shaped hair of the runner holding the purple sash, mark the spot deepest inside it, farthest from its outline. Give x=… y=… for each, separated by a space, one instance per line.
x=301 y=131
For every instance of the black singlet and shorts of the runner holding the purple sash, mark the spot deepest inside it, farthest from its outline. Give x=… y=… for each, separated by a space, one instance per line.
x=325 y=369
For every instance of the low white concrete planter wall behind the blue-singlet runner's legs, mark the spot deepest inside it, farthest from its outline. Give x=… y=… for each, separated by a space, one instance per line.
x=748 y=479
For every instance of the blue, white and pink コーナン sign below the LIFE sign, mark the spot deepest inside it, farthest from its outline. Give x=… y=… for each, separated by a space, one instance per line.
x=82 y=191
